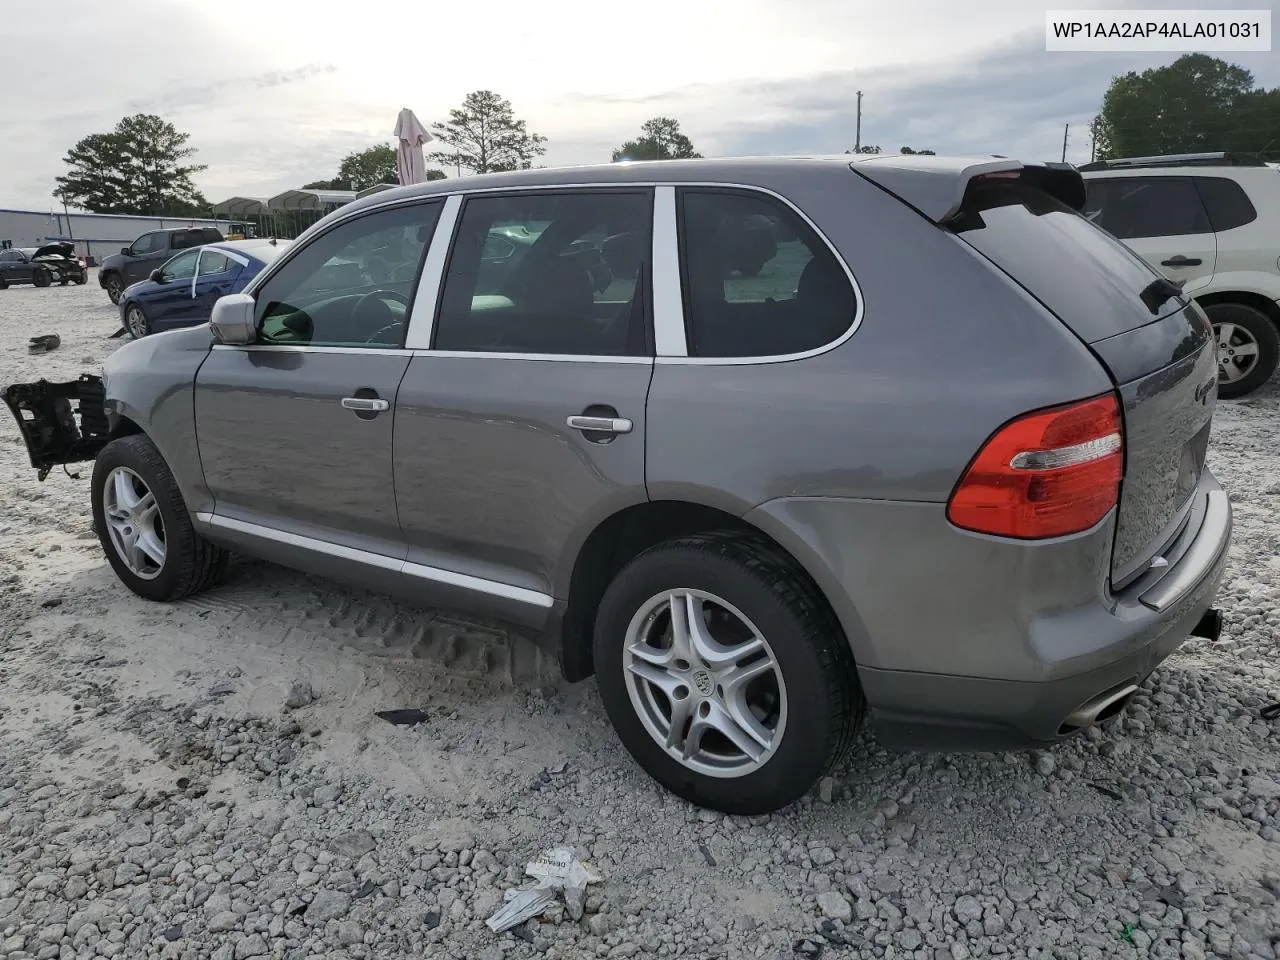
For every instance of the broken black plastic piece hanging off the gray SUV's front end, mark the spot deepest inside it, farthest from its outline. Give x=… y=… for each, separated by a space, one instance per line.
x=61 y=423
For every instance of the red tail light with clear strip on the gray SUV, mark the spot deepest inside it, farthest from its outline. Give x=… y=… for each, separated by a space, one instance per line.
x=1046 y=474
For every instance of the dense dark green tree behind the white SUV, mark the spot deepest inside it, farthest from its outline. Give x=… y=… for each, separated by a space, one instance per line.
x=1196 y=104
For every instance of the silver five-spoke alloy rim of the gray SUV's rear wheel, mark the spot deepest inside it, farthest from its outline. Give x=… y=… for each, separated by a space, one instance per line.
x=705 y=683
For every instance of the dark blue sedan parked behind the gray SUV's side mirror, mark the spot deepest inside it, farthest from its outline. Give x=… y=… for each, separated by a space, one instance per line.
x=181 y=292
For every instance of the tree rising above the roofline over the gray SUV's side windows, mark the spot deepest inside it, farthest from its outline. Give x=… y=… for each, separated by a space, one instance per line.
x=484 y=136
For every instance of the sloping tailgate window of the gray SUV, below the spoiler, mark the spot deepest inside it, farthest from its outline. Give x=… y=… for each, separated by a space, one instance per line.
x=1091 y=281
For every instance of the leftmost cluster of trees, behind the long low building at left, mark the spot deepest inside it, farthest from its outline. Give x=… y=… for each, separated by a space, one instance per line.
x=139 y=168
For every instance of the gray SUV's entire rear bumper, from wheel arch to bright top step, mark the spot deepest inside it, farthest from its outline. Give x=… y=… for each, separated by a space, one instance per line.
x=967 y=642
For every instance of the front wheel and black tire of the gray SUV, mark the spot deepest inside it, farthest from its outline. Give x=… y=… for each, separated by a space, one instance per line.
x=190 y=564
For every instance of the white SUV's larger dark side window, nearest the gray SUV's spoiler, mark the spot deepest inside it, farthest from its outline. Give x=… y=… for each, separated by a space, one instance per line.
x=1132 y=208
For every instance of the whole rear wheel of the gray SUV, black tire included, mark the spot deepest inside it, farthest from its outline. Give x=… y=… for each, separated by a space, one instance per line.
x=811 y=724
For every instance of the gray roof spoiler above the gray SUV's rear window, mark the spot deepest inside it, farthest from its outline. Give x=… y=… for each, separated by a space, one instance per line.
x=936 y=186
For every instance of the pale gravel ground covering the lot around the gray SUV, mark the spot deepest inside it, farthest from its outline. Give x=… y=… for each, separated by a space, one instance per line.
x=209 y=780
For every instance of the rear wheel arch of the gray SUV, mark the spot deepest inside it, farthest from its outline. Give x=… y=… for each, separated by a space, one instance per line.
x=629 y=532
